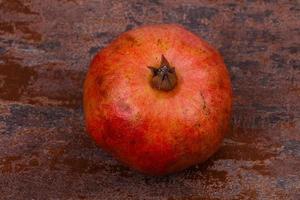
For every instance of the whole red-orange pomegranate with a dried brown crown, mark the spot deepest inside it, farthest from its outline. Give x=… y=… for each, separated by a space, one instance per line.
x=158 y=98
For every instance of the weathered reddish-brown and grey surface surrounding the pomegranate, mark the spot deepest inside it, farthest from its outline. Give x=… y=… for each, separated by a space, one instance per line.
x=45 y=49
